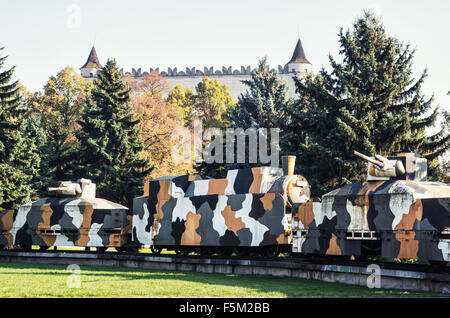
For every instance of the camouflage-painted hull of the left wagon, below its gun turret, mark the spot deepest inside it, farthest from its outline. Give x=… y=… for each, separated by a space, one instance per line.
x=66 y=220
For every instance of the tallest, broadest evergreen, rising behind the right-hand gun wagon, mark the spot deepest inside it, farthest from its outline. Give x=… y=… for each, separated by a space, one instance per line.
x=369 y=102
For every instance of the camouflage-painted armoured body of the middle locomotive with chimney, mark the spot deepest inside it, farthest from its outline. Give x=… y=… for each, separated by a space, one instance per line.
x=247 y=208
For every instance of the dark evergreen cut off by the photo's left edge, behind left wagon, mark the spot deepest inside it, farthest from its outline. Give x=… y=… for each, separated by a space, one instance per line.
x=19 y=161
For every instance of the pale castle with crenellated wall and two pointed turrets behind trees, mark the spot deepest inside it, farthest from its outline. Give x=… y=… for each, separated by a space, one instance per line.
x=189 y=78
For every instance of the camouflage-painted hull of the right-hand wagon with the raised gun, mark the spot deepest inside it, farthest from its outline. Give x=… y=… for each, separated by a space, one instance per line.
x=409 y=218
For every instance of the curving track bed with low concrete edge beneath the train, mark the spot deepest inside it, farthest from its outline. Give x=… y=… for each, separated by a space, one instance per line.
x=364 y=273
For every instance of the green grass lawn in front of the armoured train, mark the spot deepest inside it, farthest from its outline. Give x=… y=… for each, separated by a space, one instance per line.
x=42 y=280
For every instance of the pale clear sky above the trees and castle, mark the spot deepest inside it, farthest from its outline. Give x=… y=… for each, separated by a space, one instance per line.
x=42 y=37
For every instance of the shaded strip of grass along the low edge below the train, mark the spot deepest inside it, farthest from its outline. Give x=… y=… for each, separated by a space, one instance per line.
x=287 y=286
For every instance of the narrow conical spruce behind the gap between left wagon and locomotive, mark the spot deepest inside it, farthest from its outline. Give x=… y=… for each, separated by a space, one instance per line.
x=110 y=146
